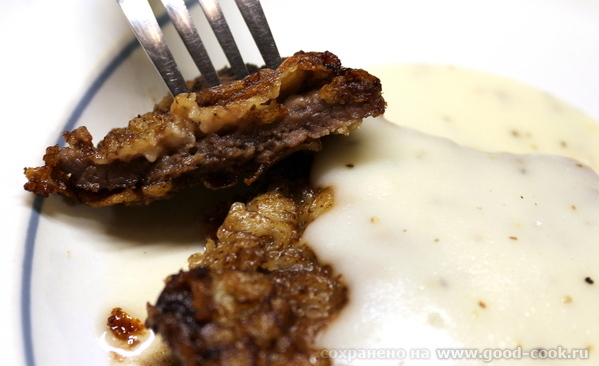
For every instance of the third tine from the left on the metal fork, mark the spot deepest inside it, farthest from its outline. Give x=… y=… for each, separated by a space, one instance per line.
x=221 y=29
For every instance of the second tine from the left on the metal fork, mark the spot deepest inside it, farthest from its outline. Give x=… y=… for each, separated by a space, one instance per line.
x=179 y=15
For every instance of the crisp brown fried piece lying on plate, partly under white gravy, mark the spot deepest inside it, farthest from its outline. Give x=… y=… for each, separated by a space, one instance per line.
x=256 y=295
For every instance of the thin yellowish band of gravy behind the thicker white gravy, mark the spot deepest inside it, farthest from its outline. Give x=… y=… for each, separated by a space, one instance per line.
x=486 y=112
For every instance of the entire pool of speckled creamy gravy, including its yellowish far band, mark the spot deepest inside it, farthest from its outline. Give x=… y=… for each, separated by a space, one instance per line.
x=444 y=246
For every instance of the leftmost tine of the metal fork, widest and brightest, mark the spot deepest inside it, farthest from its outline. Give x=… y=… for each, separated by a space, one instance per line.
x=146 y=29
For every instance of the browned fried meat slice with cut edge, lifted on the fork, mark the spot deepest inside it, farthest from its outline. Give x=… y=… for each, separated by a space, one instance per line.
x=216 y=137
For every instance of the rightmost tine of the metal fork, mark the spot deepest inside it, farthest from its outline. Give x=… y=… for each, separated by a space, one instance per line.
x=254 y=17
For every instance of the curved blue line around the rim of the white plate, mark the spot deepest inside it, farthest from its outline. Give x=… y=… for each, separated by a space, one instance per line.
x=38 y=202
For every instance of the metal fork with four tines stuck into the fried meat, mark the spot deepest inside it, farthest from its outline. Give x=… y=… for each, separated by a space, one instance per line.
x=148 y=32
